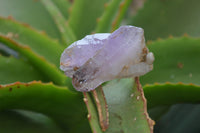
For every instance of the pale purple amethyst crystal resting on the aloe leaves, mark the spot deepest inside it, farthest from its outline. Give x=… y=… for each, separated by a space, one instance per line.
x=102 y=57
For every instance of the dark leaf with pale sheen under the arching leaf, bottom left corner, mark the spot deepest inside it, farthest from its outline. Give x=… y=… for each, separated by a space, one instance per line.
x=26 y=122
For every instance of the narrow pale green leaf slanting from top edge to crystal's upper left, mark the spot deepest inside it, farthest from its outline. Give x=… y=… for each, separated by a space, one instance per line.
x=66 y=32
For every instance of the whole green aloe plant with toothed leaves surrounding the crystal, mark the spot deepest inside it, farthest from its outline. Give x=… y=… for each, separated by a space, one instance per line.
x=36 y=96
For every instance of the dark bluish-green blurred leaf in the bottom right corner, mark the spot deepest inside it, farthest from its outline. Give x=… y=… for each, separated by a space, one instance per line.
x=181 y=118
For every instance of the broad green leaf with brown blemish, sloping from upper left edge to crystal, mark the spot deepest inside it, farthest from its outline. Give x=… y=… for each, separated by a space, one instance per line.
x=27 y=36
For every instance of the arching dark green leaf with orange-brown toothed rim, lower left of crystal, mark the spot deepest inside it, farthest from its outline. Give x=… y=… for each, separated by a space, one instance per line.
x=58 y=103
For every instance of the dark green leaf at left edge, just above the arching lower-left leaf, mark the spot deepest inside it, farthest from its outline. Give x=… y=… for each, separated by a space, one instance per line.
x=13 y=69
